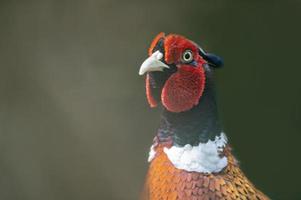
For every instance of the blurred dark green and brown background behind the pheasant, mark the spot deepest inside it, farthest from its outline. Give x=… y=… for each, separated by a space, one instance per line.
x=74 y=121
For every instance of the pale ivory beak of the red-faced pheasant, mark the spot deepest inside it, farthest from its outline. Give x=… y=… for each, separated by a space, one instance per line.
x=153 y=63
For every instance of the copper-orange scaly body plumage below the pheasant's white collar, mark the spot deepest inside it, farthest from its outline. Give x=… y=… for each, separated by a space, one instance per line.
x=165 y=182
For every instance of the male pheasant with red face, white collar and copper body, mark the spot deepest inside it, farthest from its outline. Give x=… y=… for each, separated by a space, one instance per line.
x=190 y=158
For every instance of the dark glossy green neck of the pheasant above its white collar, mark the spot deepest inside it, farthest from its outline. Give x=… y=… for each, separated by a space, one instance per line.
x=195 y=126
